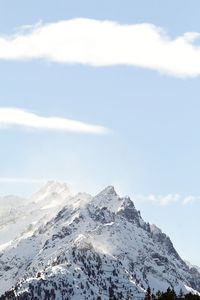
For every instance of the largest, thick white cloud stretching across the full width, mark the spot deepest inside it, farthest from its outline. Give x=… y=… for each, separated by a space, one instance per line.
x=105 y=43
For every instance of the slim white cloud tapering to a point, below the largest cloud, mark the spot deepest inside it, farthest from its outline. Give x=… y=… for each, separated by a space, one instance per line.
x=19 y=117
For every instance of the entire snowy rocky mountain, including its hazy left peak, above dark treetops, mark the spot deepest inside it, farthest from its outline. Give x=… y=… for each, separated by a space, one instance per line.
x=92 y=247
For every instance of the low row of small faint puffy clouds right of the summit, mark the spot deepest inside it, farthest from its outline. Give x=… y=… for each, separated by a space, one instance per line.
x=164 y=200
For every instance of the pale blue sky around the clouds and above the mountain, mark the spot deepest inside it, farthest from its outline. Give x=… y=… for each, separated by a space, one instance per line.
x=153 y=147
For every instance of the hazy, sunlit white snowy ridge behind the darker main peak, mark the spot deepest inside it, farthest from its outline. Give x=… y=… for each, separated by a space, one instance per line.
x=20 y=216
